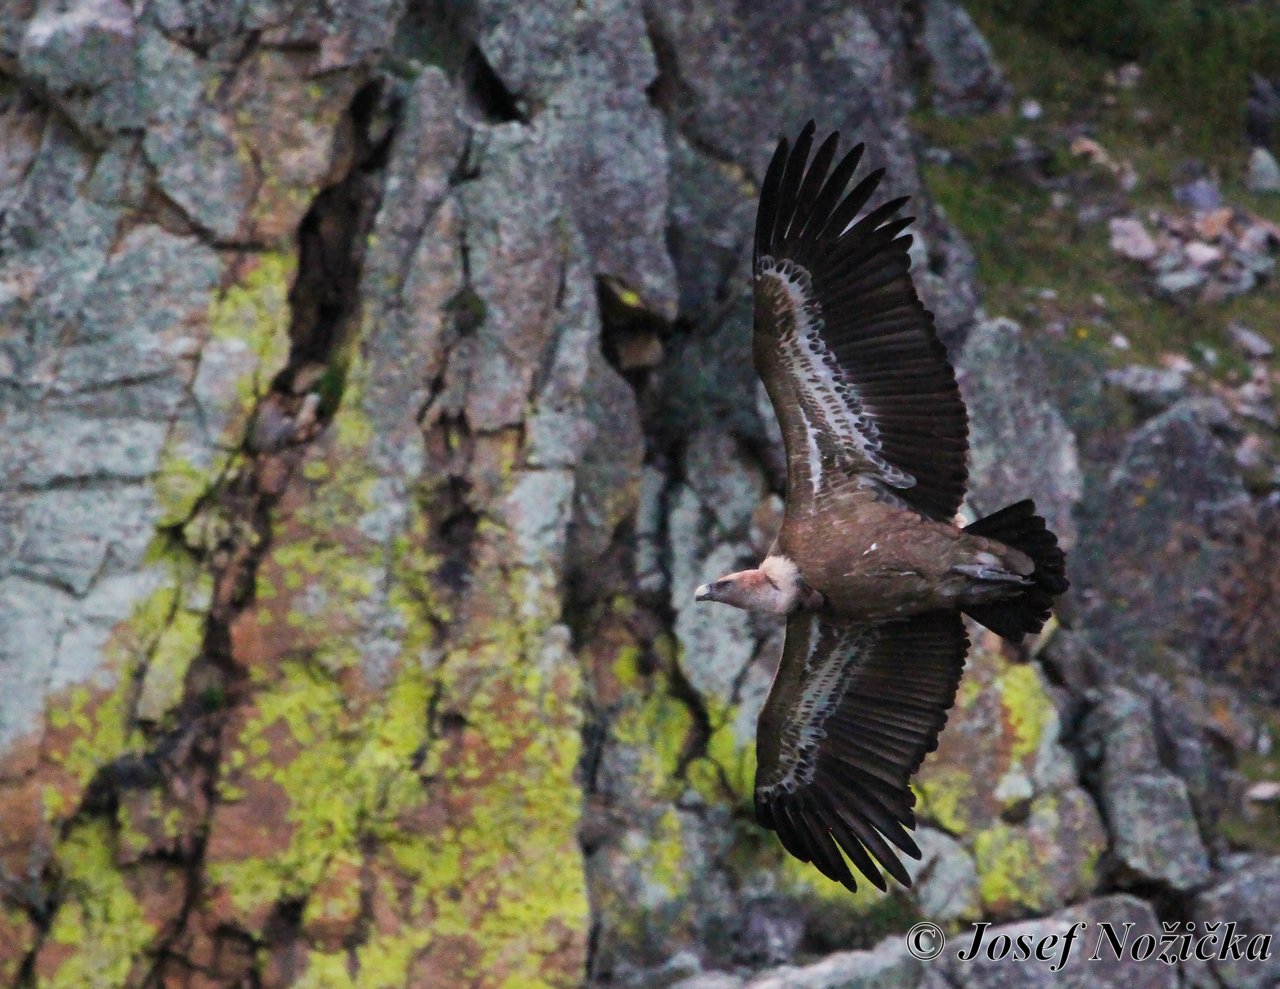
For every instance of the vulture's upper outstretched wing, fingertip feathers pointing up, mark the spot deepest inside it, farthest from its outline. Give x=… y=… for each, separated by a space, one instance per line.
x=851 y=359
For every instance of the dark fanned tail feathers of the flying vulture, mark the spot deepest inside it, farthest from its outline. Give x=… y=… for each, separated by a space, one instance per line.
x=1021 y=528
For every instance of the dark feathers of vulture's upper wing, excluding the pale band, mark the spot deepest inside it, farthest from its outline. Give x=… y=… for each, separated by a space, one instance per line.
x=874 y=323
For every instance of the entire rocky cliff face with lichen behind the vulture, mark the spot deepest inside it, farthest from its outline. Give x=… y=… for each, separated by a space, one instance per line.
x=376 y=391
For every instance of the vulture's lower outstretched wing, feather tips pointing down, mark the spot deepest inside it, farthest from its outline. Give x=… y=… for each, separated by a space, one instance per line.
x=852 y=713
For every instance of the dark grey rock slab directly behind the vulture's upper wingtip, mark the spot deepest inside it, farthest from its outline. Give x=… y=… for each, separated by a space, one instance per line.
x=734 y=85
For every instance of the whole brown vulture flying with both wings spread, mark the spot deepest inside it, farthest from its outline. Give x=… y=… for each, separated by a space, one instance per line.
x=870 y=567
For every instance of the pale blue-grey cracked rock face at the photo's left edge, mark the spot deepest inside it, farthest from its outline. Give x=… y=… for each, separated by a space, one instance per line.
x=94 y=392
